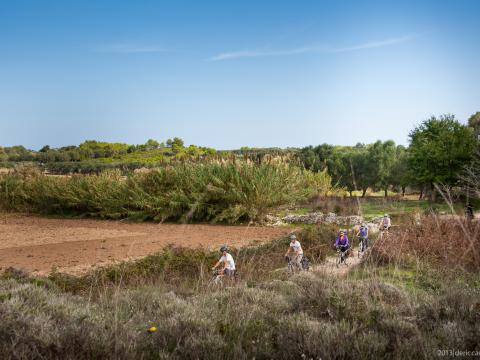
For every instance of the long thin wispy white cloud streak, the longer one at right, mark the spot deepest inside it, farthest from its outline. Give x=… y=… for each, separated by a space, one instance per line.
x=309 y=49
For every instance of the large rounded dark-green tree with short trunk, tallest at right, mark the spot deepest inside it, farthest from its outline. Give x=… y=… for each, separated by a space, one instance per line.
x=440 y=148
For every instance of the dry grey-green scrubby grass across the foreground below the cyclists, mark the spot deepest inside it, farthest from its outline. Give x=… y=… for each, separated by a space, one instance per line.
x=309 y=316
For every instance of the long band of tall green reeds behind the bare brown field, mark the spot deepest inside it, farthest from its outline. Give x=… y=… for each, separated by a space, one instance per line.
x=183 y=192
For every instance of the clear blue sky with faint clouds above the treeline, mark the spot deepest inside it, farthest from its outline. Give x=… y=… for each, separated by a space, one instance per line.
x=233 y=73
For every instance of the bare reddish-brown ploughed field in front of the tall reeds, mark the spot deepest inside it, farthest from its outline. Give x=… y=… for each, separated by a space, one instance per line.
x=38 y=244
